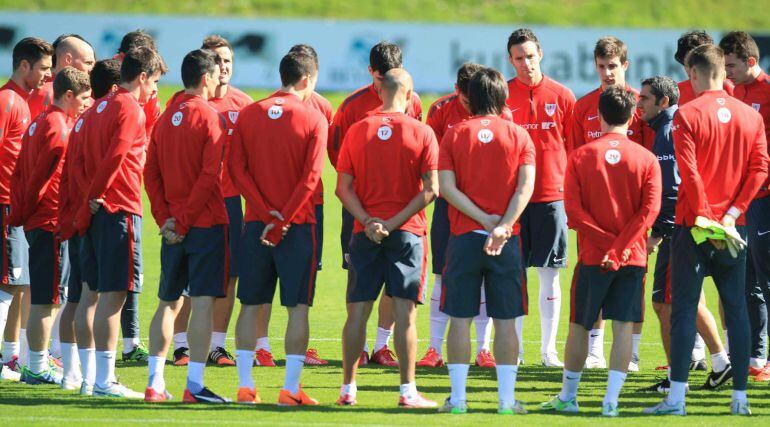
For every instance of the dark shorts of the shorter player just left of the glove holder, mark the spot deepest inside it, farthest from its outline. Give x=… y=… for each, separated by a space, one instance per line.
x=618 y=295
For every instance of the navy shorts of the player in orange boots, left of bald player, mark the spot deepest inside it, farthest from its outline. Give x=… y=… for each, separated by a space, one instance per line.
x=293 y=262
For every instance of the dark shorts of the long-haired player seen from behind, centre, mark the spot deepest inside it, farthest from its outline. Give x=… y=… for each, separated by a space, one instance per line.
x=468 y=267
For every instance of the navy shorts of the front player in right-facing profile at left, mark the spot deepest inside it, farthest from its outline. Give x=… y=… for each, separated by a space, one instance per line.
x=113 y=247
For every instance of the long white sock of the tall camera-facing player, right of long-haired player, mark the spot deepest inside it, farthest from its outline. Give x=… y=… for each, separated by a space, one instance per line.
x=550 y=308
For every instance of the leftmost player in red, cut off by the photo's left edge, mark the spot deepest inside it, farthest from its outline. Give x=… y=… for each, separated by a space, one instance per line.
x=31 y=68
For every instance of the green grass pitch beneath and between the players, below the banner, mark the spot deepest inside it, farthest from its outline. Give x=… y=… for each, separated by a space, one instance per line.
x=378 y=387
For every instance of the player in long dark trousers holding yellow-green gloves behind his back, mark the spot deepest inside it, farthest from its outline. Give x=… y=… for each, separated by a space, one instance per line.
x=721 y=153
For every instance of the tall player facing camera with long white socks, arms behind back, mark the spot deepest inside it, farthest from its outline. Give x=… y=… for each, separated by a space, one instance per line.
x=544 y=108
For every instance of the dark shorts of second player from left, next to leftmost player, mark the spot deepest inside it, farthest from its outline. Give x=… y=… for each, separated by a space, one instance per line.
x=49 y=267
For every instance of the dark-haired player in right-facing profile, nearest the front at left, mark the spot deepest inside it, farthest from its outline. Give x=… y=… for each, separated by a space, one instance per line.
x=113 y=147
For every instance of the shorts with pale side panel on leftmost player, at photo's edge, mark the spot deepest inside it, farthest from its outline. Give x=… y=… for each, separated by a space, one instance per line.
x=14 y=257
